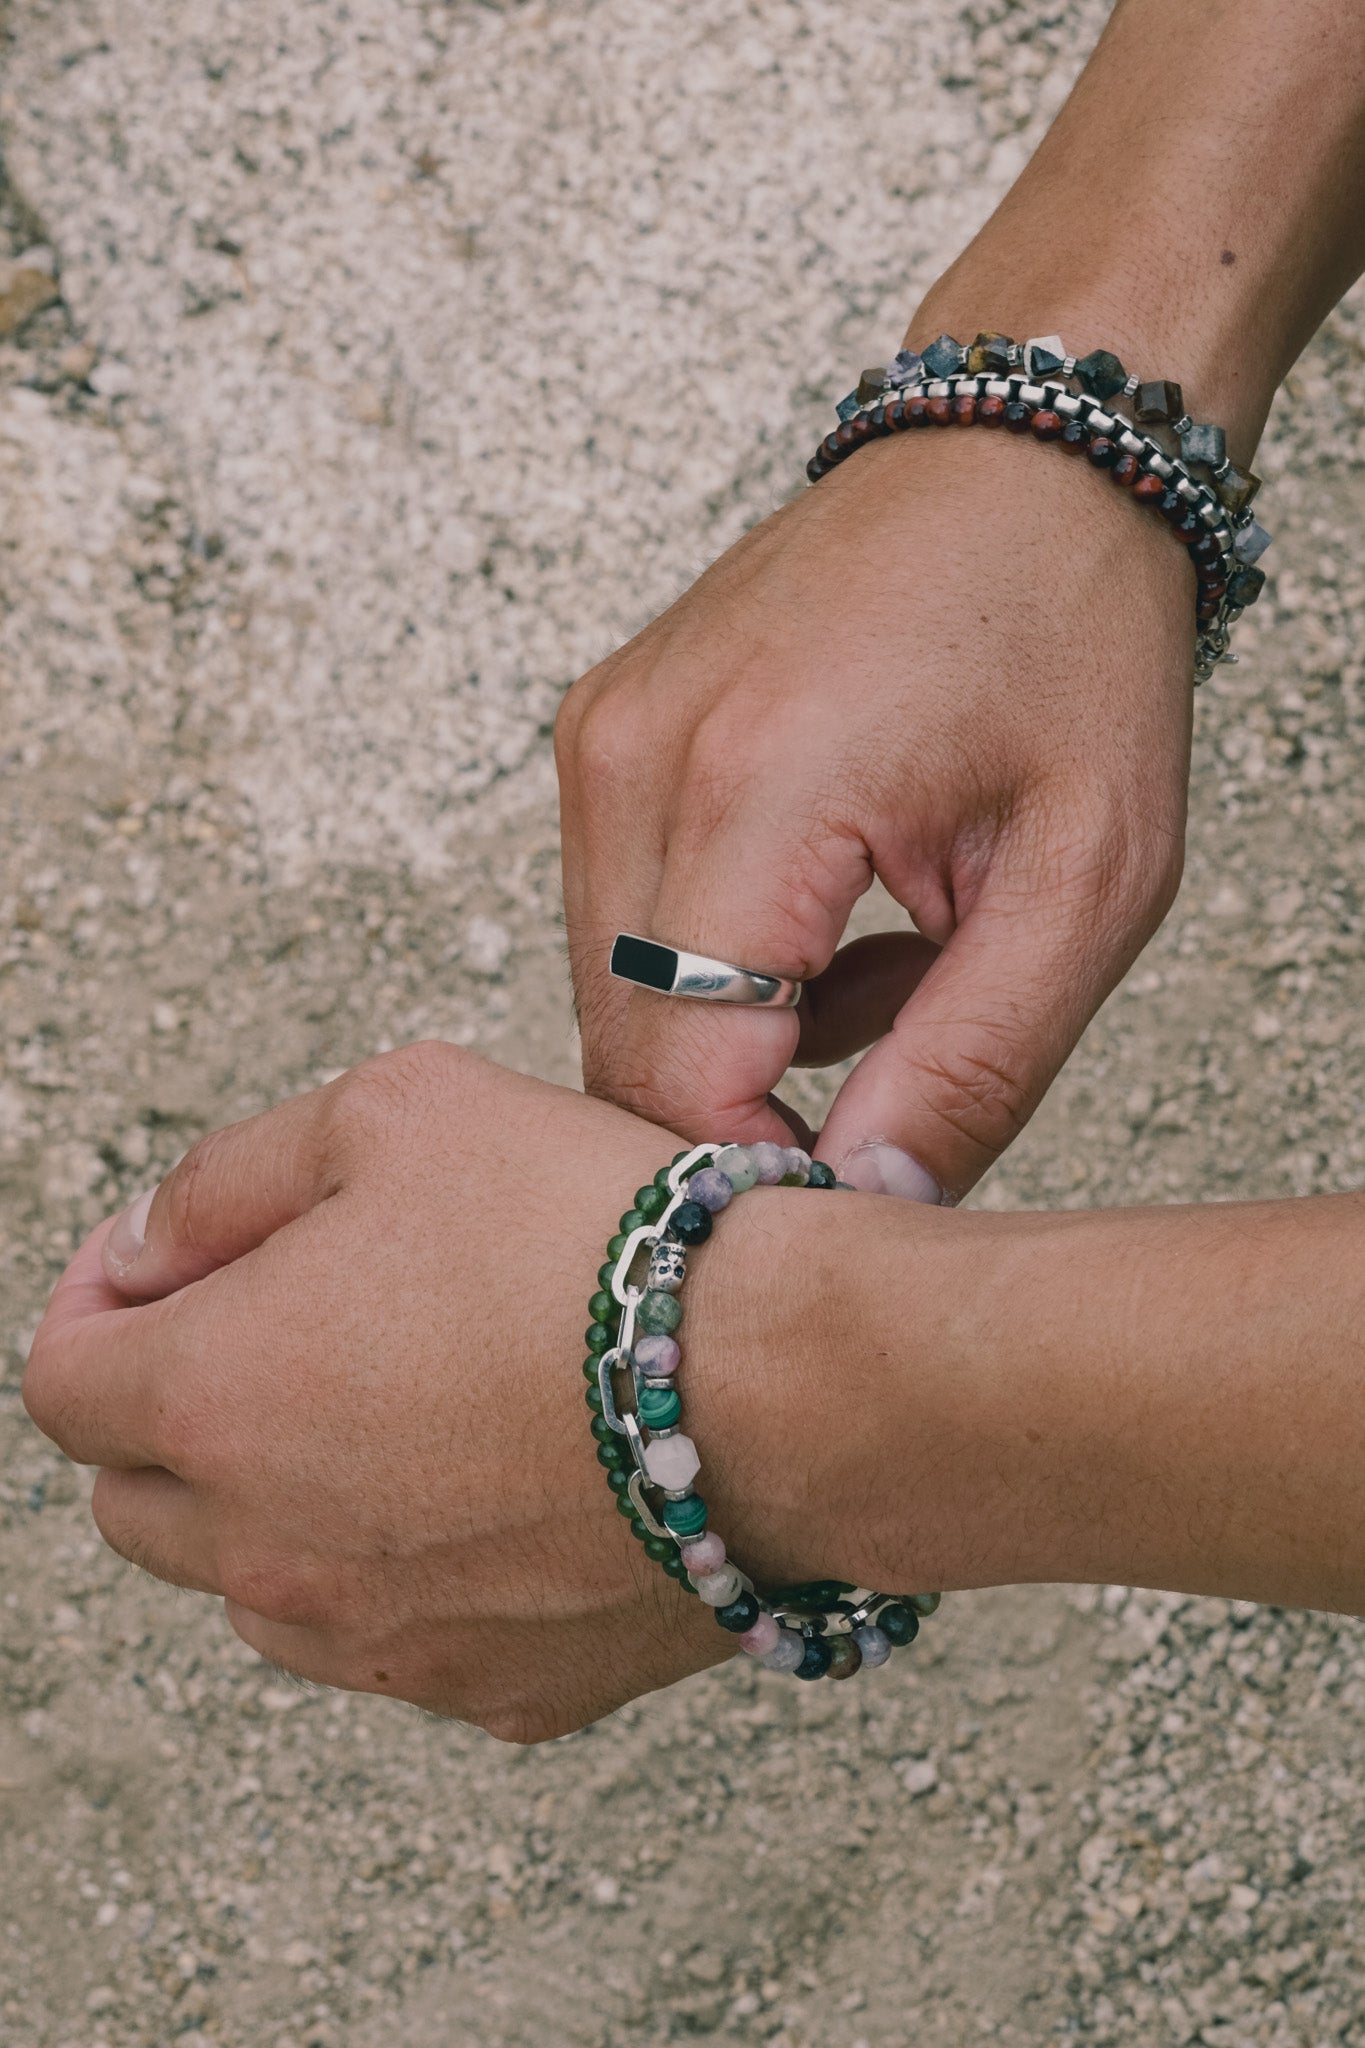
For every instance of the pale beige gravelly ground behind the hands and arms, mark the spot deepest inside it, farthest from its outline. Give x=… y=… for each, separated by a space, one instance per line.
x=333 y=450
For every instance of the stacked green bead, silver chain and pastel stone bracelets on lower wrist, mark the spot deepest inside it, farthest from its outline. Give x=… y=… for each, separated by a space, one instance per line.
x=822 y=1627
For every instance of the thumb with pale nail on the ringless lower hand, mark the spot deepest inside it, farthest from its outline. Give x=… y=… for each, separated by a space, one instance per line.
x=226 y=1197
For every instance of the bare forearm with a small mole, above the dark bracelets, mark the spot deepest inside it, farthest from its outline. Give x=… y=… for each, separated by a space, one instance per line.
x=1198 y=206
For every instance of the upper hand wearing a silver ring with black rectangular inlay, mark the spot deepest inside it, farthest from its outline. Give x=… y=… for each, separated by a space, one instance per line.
x=957 y=665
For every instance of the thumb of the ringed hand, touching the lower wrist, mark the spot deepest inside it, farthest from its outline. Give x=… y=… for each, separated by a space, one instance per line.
x=971 y=1054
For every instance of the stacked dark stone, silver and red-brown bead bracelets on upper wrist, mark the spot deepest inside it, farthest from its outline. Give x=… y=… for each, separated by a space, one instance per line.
x=955 y=386
